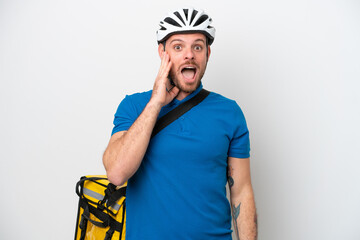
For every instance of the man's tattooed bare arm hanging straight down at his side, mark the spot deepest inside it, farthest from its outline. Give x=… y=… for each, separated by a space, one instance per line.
x=242 y=198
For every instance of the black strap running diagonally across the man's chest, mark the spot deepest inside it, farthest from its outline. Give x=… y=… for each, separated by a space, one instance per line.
x=178 y=111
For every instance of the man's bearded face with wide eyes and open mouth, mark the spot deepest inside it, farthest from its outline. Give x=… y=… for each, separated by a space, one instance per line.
x=189 y=55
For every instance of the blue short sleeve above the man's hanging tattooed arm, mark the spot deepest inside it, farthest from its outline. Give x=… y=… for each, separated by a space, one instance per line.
x=240 y=142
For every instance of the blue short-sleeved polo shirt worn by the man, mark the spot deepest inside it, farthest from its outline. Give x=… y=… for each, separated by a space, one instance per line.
x=179 y=191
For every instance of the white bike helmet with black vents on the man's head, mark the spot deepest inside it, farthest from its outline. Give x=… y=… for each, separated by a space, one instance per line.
x=186 y=20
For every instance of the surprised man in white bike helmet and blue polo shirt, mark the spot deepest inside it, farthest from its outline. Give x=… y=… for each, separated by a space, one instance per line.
x=176 y=180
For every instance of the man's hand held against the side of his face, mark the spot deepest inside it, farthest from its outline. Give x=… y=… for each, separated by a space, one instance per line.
x=163 y=92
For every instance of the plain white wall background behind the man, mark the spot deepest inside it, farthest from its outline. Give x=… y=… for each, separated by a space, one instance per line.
x=292 y=66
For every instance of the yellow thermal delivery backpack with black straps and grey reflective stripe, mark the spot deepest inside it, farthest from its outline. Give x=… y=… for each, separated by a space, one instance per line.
x=101 y=210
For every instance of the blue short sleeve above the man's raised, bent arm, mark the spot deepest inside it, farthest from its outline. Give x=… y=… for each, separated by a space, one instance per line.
x=125 y=115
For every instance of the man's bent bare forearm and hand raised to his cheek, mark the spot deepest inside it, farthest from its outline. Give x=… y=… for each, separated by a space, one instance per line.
x=126 y=149
